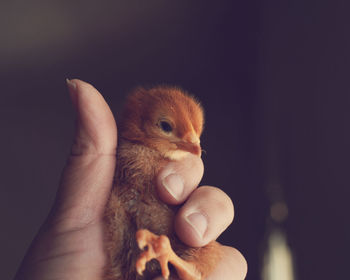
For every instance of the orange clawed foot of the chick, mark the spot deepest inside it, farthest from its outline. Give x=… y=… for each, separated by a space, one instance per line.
x=158 y=247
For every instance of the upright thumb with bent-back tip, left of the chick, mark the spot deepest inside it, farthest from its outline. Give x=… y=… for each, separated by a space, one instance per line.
x=88 y=175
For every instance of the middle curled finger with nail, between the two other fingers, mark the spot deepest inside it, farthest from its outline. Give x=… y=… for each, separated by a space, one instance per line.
x=204 y=216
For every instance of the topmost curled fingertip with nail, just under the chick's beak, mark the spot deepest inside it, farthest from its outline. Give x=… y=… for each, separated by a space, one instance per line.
x=179 y=178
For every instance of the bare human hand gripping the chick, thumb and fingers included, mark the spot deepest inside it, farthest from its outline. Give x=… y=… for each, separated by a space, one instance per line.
x=69 y=244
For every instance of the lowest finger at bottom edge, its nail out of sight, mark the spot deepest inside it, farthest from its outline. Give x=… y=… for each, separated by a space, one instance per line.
x=232 y=266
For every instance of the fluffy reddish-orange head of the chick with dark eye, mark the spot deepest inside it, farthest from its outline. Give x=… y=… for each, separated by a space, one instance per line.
x=165 y=119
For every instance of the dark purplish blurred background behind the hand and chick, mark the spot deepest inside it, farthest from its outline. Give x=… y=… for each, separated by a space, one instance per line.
x=273 y=77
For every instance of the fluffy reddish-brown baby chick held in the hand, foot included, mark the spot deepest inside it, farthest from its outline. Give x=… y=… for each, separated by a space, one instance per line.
x=158 y=125
